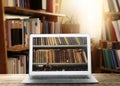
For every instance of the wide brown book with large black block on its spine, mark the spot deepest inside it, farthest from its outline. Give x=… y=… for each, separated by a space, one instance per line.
x=16 y=32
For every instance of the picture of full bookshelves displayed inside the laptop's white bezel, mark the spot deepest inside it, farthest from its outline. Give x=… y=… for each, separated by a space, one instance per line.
x=59 y=53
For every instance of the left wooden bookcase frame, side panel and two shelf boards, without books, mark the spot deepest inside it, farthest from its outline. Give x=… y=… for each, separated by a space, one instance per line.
x=21 y=12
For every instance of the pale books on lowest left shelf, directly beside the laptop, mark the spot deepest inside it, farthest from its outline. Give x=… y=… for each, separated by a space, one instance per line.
x=17 y=64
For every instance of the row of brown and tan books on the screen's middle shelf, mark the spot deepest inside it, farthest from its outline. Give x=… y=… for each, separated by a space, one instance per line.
x=59 y=56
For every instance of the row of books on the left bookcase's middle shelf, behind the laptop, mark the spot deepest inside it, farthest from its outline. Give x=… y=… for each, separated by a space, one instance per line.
x=18 y=30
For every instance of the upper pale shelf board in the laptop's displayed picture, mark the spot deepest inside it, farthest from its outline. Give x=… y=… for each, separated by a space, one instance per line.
x=59 y=46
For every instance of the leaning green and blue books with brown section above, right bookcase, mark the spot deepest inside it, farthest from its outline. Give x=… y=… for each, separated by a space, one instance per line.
x=111 y=54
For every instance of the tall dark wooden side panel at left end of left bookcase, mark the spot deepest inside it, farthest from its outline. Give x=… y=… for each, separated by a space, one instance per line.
x=3 y=49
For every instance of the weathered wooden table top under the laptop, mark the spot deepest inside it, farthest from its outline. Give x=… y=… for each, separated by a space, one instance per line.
x=16 y=79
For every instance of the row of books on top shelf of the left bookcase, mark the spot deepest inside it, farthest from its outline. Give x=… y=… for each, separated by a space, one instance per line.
x=46 y=5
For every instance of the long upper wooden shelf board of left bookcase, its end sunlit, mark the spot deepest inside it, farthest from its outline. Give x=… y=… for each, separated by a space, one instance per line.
x=32 y=13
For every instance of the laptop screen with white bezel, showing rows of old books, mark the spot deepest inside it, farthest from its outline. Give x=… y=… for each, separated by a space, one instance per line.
x=59 y=53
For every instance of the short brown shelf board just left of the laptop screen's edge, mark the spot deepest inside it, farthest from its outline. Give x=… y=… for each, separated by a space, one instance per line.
x=18 y=48
